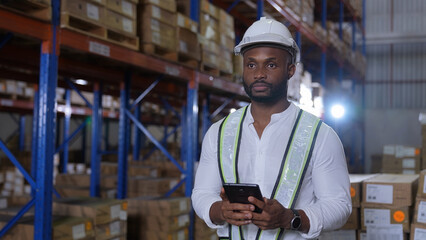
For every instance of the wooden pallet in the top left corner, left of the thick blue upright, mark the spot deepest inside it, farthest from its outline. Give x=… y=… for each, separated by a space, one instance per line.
x=31 y=8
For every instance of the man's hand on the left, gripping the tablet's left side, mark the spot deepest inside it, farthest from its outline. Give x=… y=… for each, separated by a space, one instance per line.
x=234 y=213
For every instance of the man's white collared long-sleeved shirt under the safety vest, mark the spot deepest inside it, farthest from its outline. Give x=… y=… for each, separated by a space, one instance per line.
x=324 y=195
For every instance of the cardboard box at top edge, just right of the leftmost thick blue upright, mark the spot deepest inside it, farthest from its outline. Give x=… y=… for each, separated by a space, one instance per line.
x=84 y=9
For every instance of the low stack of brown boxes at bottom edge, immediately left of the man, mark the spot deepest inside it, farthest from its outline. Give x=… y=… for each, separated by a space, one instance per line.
x=159 y=218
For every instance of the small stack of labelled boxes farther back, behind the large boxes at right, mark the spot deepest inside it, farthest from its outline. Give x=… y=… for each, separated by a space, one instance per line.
x=401 y=159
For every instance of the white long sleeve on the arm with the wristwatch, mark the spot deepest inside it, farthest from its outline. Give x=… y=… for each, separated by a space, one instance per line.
x=331 y=186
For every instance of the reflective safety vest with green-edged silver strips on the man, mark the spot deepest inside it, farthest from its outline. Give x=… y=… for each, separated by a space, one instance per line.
x=293 y=165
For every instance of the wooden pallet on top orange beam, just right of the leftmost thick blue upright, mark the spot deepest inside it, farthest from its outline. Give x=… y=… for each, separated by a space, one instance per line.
x=82 y=25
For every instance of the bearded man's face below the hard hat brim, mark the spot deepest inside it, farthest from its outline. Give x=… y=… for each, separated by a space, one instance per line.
x=266 y=71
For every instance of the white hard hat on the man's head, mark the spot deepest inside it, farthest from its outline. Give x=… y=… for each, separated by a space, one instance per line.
x=269 y=31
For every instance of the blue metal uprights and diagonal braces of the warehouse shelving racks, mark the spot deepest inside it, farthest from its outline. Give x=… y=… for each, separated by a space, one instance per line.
x=44 y=120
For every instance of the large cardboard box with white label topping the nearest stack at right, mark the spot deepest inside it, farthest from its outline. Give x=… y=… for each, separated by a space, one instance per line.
x=390 y=189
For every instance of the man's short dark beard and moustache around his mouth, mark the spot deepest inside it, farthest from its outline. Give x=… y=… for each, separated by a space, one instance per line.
x=276 y=92
